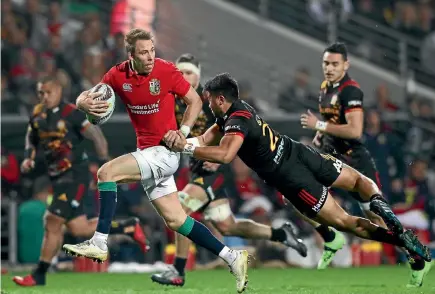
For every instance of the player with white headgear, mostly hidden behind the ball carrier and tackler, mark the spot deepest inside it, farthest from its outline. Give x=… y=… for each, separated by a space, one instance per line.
x=206 y=192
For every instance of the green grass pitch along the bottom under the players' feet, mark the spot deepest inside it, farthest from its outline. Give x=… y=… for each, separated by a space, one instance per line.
x=382 y=280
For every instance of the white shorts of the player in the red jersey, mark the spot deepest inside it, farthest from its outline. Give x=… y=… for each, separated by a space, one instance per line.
x=157 y=165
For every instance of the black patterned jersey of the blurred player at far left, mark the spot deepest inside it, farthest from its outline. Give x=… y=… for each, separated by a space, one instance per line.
x=58 y=132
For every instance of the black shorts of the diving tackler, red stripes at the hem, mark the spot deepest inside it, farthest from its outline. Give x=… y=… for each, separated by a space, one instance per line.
x=304 y=178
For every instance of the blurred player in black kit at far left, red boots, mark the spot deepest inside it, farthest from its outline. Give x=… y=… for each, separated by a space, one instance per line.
x=58 y=128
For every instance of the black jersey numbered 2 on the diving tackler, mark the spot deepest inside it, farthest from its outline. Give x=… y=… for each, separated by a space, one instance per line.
x=263 y=149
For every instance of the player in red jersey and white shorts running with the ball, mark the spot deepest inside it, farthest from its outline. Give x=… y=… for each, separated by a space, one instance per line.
x=147 y=86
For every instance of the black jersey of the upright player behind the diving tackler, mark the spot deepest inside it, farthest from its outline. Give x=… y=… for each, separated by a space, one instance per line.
x=335 y=101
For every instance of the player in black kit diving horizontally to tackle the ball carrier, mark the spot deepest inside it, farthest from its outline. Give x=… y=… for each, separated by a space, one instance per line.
x=299 y=172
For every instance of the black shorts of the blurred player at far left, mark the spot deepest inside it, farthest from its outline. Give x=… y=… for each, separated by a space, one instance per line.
x=69 y=192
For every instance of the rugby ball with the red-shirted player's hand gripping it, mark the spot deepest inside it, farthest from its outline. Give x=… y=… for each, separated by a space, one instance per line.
x=98 y=103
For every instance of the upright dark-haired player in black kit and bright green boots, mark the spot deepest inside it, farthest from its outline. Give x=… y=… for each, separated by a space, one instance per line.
x=339 y=134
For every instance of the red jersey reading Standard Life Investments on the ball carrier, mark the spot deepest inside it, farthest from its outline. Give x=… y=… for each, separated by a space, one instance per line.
x=149 y=99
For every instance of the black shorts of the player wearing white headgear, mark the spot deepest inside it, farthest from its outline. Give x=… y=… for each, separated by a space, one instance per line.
x=212 y=183
